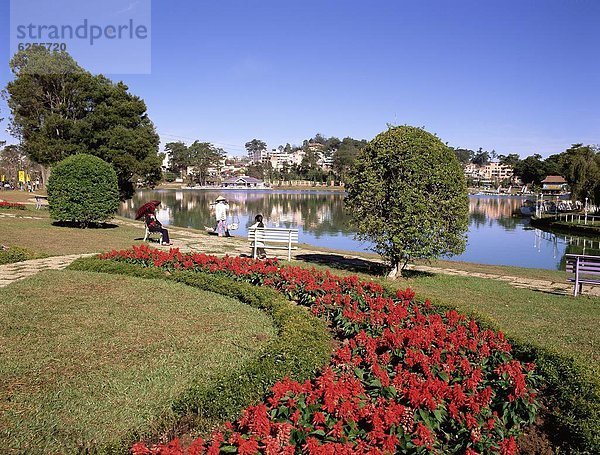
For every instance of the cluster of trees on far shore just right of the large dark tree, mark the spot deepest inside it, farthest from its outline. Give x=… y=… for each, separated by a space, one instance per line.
x=199 y=156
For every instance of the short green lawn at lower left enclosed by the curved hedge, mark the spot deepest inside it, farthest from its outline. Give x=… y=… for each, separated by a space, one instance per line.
x=87 y=358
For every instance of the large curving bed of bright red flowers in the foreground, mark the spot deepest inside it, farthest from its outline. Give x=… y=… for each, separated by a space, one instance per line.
x=404 y=379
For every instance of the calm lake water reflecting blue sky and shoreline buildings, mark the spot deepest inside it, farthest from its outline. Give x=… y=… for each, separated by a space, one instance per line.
x=495 y=235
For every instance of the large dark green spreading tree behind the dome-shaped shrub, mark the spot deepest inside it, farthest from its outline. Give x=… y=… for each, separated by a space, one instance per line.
x=59 y=109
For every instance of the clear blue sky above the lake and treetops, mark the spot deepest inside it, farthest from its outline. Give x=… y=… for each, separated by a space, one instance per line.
x=514 y=76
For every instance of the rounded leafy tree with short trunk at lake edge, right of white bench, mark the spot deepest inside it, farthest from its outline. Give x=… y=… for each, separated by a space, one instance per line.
x=407 y=194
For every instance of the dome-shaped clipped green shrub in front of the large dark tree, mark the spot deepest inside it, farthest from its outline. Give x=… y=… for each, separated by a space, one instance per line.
x=83 y=189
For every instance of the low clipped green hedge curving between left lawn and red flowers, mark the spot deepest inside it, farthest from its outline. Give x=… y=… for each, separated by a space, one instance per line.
x=303 y=345
